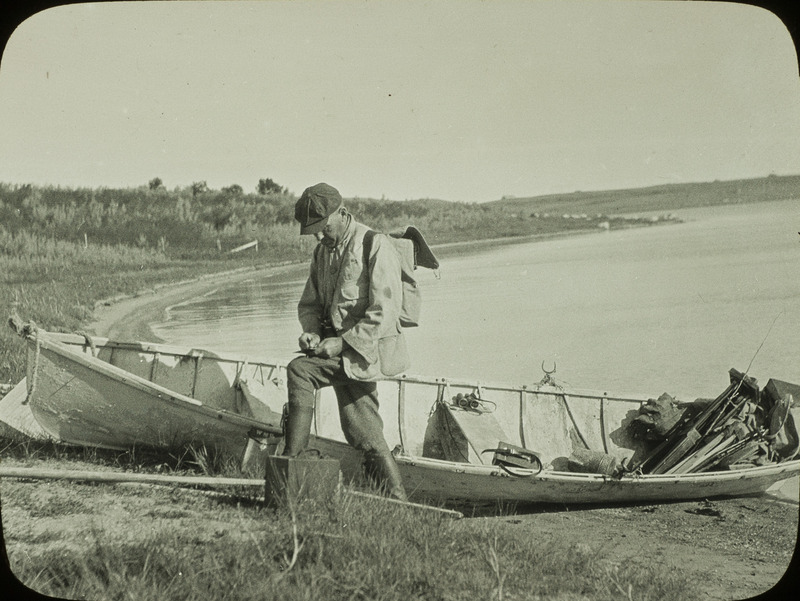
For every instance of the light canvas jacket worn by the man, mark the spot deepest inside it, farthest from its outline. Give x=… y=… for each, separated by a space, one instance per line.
x=362 y=305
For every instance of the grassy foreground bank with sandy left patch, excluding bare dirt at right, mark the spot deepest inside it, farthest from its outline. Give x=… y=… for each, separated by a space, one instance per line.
x=160 y=543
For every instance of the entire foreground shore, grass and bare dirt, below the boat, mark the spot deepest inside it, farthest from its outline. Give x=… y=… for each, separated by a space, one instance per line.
x=133 y=541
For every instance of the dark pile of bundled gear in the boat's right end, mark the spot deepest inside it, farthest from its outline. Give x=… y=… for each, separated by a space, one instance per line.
x=743 y=427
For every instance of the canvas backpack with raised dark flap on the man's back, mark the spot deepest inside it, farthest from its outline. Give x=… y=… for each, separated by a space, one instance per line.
x=413 y=251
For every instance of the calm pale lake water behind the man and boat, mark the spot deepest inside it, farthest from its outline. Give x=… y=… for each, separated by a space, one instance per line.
x=669 y=308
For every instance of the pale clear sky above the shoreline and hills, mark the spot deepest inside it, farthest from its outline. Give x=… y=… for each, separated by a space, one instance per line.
x=453 y=99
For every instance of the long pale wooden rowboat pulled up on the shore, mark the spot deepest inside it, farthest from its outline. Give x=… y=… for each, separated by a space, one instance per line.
x=99 y=392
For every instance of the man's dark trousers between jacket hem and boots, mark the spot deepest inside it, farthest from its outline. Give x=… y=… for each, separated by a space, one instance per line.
x=358 y=401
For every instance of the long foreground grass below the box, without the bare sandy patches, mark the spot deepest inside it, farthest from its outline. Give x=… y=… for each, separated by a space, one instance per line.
x=338 y=548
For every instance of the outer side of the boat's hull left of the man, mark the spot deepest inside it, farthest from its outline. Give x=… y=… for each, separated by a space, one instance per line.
x=79 y=399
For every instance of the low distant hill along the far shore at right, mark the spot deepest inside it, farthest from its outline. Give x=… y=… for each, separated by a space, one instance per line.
x=666 y=198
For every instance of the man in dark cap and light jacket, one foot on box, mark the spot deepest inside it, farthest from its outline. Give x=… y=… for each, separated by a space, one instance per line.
x=350 y=315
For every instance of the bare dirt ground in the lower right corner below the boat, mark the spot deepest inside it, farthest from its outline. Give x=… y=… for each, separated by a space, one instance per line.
x=736 y=548
